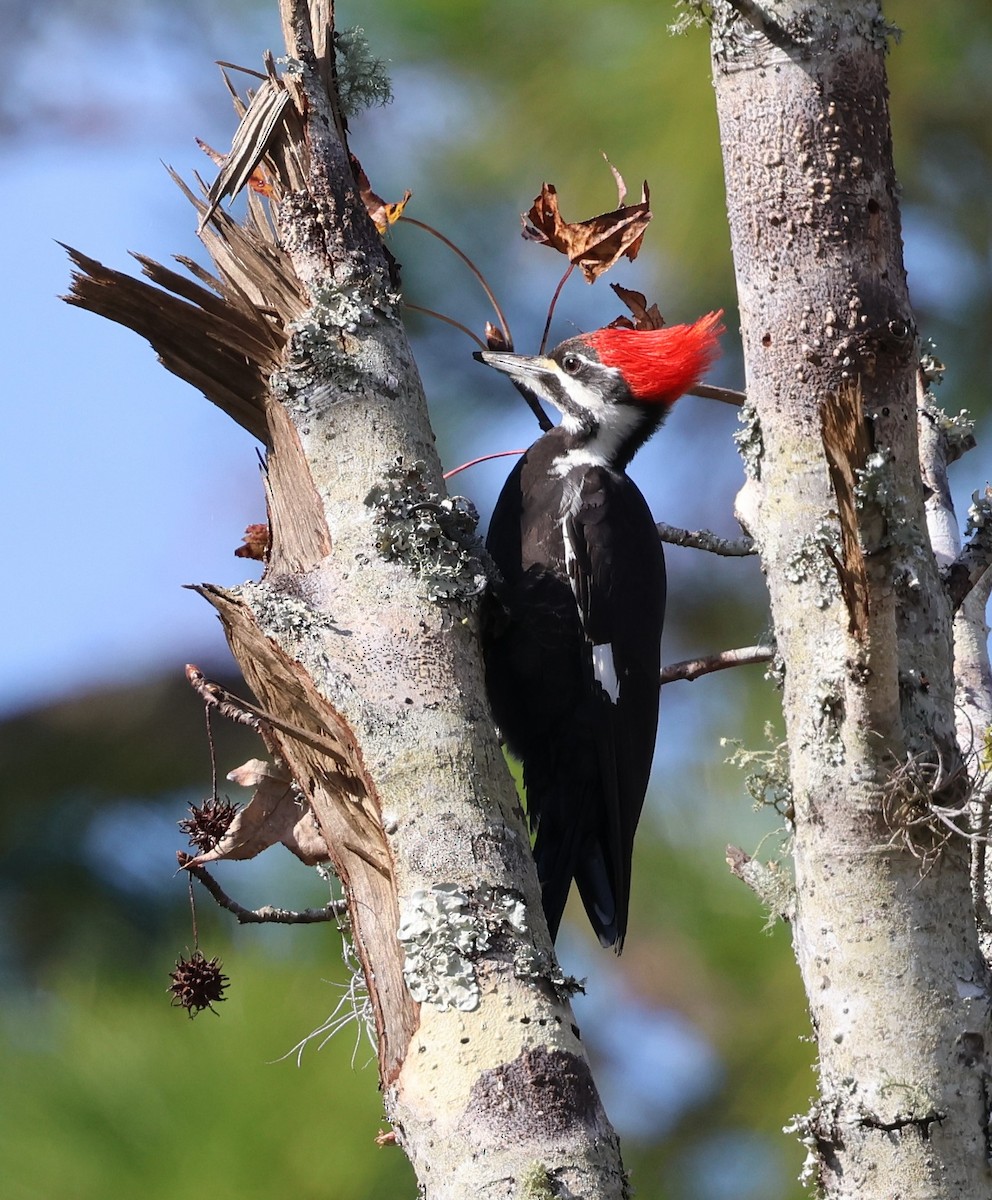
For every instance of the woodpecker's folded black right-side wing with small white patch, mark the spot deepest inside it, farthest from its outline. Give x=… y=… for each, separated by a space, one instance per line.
x=616 y=569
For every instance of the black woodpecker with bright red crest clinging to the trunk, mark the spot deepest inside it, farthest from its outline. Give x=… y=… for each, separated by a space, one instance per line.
x=573 y=629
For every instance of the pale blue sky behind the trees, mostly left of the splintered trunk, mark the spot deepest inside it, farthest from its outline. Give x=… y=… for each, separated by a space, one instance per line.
x=121 y=484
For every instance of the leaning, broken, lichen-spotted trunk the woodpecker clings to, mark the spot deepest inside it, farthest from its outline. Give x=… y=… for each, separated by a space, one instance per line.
x=362 y=634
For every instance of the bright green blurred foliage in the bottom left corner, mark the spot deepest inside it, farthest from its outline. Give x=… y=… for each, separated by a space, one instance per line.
x=110 y=1094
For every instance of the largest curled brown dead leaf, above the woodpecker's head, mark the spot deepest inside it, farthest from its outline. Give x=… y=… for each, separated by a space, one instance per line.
x=597 y=244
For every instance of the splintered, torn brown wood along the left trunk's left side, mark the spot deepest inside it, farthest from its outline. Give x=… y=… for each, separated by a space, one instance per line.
x=226 y=329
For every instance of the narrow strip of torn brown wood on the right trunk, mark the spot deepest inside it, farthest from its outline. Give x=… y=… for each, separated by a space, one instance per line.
x=847 y=441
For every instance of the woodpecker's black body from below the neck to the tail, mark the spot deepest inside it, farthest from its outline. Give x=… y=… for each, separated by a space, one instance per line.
x=586 y=755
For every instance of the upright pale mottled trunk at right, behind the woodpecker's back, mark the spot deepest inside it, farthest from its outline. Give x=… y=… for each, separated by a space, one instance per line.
x=885 y=928
